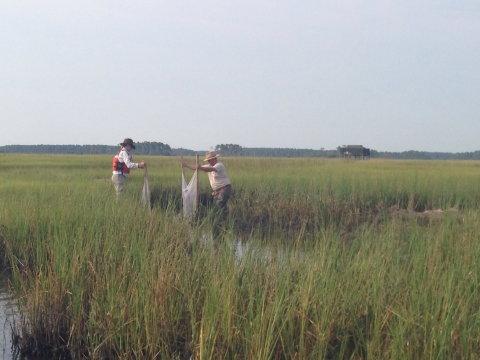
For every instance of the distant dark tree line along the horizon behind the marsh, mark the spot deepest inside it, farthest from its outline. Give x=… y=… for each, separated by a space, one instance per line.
x=159 y=148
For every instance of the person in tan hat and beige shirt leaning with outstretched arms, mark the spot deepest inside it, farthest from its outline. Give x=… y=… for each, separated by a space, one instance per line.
x=219 y=181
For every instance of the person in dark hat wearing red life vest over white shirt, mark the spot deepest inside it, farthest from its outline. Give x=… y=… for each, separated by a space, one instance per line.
x=122 y=164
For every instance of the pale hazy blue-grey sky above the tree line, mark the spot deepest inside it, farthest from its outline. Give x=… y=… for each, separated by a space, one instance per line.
x=392 y=75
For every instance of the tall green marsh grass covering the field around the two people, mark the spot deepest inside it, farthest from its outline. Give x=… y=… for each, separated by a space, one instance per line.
x=340 y=260
